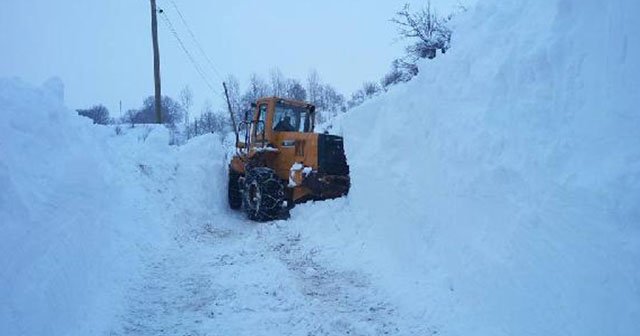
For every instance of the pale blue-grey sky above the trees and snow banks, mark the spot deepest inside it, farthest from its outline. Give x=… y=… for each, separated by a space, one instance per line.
x=102 y=49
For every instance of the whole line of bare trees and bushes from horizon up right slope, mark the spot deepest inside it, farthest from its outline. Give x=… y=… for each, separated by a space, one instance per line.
x=425 y=31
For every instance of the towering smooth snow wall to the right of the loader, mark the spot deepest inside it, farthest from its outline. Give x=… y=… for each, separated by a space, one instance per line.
x=498 y=193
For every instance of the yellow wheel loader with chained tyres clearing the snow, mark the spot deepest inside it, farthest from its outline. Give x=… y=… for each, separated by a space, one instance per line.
x=280 y=161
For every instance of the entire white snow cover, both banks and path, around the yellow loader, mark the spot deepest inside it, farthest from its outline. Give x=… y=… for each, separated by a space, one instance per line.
x=495 y=194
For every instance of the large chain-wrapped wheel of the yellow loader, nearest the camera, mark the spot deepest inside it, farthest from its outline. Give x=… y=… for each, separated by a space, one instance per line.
x=263 y=194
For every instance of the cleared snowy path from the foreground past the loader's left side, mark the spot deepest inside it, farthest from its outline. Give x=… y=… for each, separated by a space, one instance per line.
x=224 y=275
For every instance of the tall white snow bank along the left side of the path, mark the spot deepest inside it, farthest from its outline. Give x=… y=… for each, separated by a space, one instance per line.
x=78 y=207
